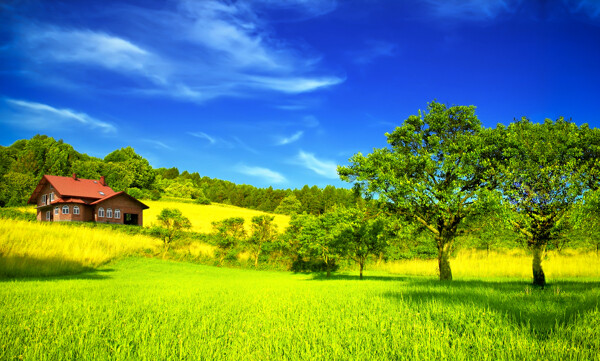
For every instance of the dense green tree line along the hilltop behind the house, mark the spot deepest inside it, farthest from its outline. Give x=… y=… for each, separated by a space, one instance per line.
x=24 y=163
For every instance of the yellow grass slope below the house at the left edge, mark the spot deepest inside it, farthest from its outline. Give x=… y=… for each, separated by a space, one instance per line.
x=40 y=248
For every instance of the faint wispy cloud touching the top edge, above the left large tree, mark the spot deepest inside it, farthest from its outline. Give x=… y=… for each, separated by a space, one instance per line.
x=472 y=10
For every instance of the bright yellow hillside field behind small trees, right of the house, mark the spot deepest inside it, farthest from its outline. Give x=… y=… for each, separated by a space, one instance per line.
x=202 y=216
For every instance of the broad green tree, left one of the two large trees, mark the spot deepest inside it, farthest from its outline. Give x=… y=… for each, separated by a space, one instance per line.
x=433 y=173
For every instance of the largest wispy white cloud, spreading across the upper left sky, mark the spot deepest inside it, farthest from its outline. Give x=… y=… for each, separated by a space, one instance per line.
x=216 y=49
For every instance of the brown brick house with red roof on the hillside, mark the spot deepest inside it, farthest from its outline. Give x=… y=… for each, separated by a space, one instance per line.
x=84 y=200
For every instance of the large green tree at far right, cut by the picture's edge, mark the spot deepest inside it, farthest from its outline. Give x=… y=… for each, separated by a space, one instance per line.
x=545 y=170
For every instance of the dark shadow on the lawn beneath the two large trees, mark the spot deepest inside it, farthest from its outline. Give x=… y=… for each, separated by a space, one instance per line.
x=539 y=310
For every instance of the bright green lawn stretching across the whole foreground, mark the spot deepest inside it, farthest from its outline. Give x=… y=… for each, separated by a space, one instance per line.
x=148 y=309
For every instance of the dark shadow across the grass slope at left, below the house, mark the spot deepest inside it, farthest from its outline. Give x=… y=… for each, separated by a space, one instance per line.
x=27 y=268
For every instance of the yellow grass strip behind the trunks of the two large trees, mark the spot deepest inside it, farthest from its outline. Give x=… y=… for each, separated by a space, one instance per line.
x=514 y=263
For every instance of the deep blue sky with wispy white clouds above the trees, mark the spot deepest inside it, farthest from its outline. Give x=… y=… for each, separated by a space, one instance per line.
x=267 y=92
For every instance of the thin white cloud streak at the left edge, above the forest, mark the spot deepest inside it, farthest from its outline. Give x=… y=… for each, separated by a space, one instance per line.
x=41 y=116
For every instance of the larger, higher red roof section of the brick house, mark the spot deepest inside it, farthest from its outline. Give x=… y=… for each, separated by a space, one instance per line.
x=68 y=187
